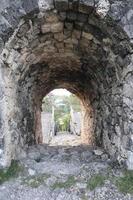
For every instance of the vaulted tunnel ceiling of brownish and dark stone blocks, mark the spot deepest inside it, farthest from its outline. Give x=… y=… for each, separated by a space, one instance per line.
x=67 y=46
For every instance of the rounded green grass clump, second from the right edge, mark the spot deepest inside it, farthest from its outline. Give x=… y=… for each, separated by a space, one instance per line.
x=96 y=181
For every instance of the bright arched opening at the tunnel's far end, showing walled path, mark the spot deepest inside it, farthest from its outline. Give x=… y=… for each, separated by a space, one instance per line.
x=61 y=118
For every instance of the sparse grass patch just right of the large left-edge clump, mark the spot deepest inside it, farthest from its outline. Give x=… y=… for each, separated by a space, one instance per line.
x=36 y=181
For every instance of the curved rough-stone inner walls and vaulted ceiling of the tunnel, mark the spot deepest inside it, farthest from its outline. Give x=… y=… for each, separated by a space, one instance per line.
x=73 y=49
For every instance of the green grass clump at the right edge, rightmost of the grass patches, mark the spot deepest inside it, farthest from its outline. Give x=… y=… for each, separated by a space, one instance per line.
x=125 y=183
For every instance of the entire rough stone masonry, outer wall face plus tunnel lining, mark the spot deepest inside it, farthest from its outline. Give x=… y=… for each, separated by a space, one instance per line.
x=84 y=46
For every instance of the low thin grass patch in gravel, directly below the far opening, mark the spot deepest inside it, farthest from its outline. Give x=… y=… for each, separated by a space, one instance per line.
x=67 y=184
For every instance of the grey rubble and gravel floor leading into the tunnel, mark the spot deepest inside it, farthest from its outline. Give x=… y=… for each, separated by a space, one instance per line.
x=47 y=170
